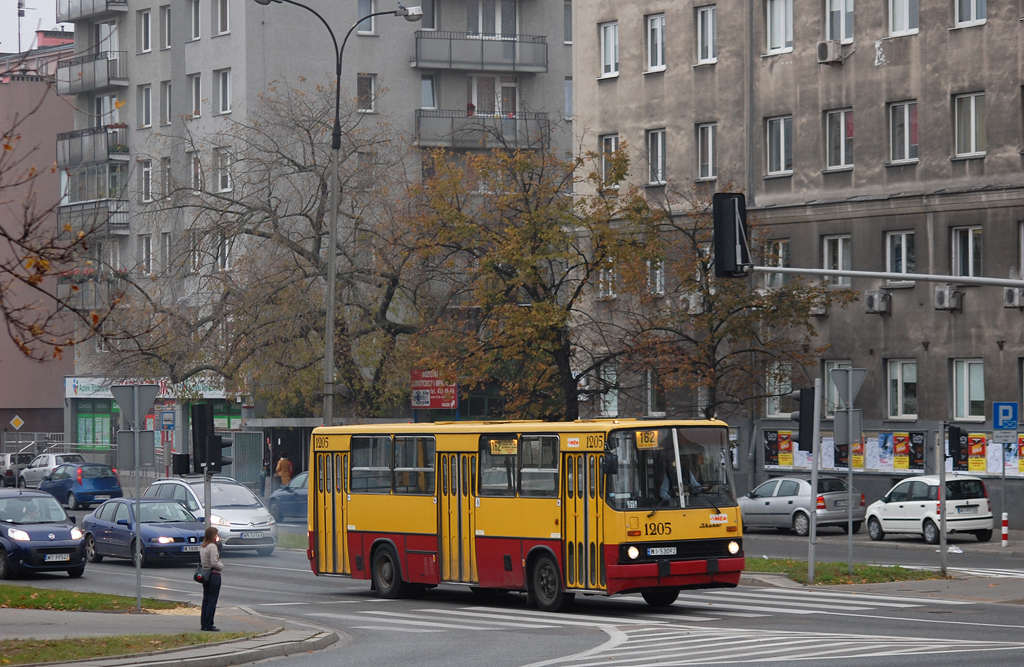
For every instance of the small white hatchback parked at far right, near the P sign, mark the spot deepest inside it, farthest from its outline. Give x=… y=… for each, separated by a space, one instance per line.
x=912 y=507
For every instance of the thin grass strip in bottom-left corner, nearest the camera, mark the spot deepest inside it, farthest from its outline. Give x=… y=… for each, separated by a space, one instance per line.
x=22 y=652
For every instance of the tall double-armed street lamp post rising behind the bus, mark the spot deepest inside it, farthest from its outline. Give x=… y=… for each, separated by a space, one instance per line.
x=411 y=15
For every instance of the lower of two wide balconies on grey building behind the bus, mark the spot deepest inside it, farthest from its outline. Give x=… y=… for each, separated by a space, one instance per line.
x=458 y=130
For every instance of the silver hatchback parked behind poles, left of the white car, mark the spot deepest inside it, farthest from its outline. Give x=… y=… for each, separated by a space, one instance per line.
x=786 y=504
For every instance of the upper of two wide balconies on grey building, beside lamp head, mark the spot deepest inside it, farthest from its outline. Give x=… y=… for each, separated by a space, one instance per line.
x=444 y=51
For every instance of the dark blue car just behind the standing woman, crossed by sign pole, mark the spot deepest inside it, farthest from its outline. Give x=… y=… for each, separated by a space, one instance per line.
x=169 y=531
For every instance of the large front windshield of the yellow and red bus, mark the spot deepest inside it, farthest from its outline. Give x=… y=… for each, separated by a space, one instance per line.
x=666 y=469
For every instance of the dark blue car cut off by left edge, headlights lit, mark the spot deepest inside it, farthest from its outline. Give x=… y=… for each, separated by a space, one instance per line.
x=36 y=535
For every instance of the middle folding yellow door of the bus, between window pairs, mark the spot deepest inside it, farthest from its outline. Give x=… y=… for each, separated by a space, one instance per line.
x=458 y=517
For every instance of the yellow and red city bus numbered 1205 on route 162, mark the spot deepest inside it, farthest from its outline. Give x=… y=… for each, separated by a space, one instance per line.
x=549 y=509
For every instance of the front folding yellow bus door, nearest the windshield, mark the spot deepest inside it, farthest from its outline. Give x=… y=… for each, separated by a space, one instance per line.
x=583 y=535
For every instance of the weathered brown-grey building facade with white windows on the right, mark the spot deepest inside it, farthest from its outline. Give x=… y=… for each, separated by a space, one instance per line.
x=880 y=136
